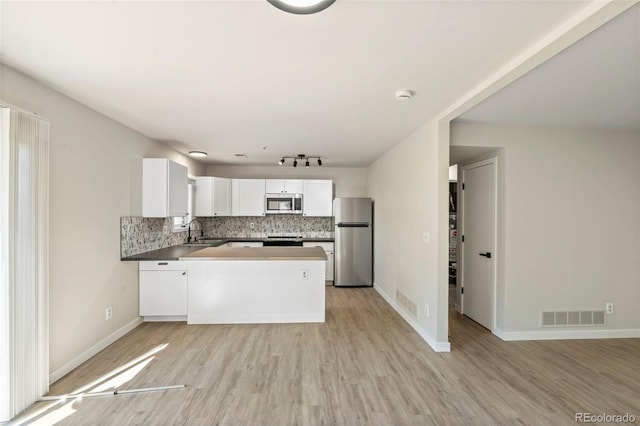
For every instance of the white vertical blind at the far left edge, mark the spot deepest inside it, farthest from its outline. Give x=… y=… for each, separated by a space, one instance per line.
x=24 y=204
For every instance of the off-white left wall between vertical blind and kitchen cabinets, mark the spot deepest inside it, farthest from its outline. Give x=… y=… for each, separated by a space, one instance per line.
x=91 y=185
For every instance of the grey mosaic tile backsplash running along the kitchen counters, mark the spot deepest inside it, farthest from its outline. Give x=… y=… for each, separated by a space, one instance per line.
x=138 y=234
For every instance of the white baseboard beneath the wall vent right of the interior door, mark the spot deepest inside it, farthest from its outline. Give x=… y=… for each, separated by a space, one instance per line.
x=512 y=336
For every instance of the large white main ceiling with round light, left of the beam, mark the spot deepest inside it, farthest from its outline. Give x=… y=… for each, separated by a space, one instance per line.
x=231 y=76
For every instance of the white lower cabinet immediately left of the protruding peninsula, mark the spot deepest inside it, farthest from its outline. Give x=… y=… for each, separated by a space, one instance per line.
x=163 y=290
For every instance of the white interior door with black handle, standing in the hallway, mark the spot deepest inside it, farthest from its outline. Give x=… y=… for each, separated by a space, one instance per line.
x=478 y=247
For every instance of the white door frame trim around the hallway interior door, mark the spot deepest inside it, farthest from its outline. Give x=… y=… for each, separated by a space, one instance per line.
x=461 y=219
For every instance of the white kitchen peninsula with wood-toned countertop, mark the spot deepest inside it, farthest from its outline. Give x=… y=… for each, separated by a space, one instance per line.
x=237 y=285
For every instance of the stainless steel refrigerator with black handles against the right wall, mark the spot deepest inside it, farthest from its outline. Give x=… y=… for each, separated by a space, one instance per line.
x=353 y=242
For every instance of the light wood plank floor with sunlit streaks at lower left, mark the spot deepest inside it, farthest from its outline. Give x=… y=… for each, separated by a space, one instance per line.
x=365 y=365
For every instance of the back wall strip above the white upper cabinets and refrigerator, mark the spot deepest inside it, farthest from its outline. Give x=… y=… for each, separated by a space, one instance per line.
x=347 y=181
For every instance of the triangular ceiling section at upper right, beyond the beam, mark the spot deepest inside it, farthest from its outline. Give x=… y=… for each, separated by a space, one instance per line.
x=594 y=83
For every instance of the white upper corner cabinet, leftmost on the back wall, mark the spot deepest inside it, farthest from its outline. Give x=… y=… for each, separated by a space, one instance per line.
x=213 y=196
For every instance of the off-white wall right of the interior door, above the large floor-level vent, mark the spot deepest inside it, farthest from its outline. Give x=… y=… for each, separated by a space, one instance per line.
x=570 y=215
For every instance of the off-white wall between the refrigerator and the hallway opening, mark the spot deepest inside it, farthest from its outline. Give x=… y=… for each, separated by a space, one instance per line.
x=405 y=185
